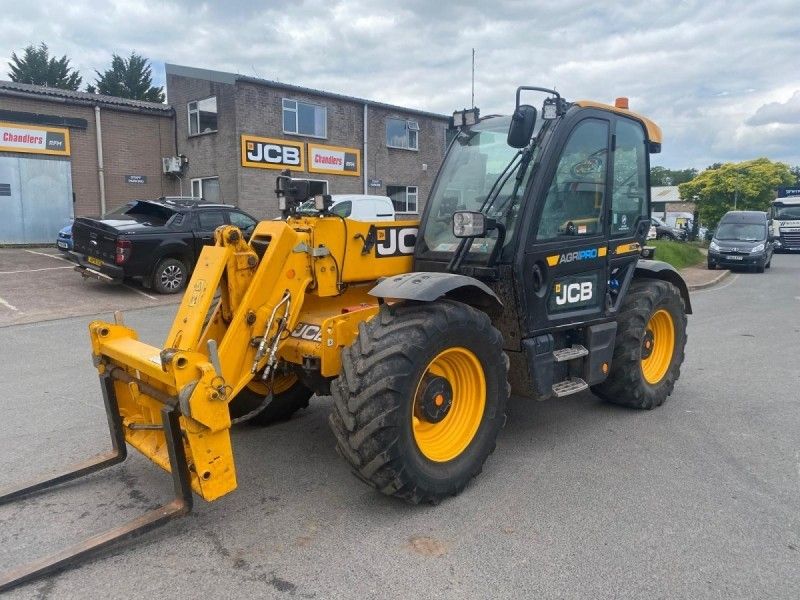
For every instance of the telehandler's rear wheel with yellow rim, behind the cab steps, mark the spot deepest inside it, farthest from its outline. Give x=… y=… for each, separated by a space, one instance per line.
x=643 y=373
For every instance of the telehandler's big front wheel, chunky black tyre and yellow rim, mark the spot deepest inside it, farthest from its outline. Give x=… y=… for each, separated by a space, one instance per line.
x=421 y=399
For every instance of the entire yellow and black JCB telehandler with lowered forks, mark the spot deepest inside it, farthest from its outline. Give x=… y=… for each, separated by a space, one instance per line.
x=525 y=274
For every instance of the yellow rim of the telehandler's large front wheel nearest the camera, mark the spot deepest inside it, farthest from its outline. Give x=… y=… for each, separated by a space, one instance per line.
x=453 y=386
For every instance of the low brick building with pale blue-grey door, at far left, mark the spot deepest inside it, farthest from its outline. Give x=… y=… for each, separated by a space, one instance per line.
x=50 y=168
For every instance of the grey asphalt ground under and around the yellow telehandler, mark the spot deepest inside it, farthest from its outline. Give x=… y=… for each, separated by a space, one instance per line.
x=697 y=499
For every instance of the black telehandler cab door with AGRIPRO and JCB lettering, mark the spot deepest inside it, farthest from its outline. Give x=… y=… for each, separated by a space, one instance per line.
x=566 y=254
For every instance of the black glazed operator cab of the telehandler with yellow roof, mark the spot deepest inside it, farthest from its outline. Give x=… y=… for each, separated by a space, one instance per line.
x=558 y=200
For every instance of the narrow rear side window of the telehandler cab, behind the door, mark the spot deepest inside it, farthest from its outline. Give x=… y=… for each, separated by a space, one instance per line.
x=629 y=190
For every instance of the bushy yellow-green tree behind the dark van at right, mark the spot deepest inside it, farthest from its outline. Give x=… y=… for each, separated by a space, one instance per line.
x=748 y=185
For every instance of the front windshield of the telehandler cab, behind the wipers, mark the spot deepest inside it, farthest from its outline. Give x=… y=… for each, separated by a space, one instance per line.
x=473 y=166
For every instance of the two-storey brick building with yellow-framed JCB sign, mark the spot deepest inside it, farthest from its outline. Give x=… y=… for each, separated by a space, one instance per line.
x=238 y=133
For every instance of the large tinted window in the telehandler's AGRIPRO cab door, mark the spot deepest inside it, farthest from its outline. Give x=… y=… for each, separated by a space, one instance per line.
x=574 y=202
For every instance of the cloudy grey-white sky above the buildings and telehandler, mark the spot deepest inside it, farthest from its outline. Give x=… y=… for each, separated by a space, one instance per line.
x=722 y=78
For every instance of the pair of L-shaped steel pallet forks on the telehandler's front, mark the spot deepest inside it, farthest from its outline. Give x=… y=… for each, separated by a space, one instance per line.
x=70 y=556
